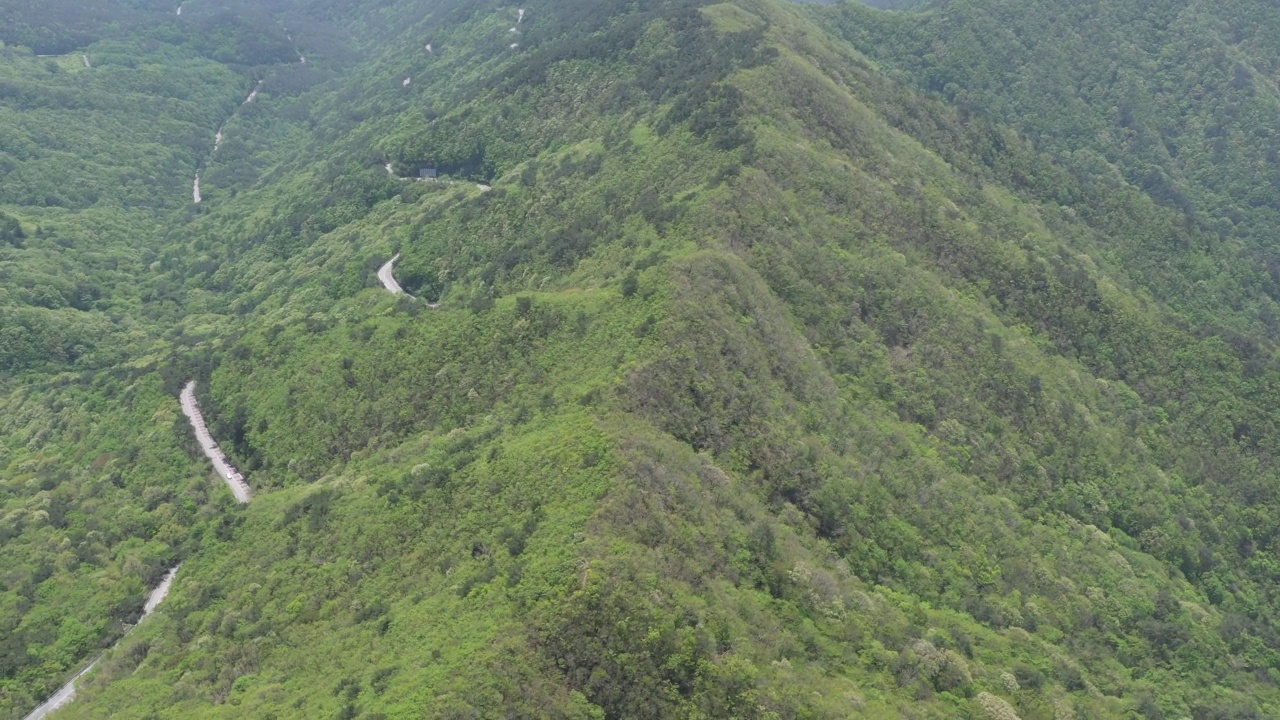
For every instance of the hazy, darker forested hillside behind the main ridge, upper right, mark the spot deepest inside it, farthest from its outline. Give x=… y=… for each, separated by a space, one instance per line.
x=1178 y=98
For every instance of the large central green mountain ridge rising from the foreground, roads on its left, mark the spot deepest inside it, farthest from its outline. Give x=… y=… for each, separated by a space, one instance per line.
x=762 y=384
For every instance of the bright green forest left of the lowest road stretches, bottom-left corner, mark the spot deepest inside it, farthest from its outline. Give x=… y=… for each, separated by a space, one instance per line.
x=92 y=520
